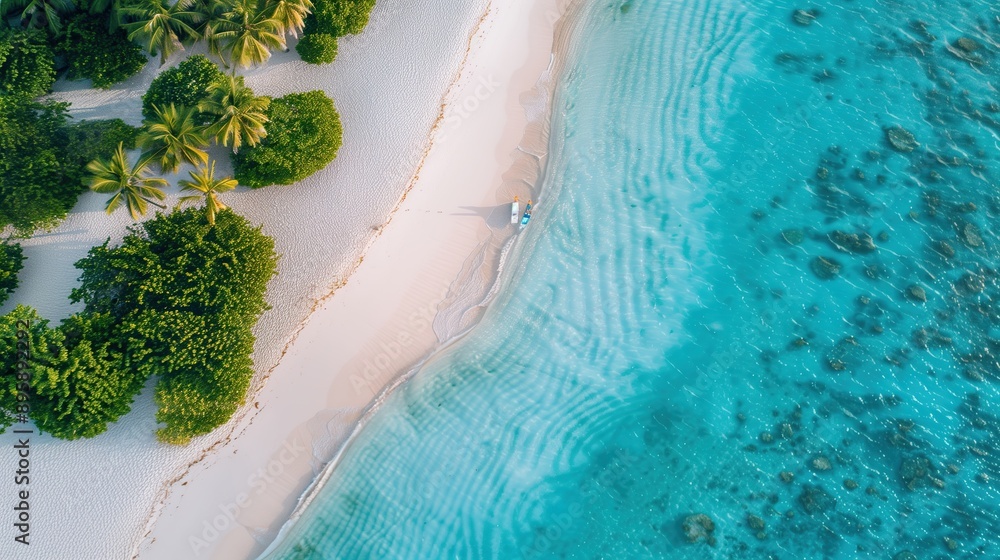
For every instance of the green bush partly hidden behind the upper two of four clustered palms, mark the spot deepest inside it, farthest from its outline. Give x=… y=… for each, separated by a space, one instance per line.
x=187 y=85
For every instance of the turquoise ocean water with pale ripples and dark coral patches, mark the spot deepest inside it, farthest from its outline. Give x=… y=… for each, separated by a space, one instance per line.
x=671 y=343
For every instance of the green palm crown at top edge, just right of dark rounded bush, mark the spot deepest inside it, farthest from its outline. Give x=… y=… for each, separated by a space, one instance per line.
x=161 y=26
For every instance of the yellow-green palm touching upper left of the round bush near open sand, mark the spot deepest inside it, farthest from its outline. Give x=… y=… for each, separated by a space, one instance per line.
x=240 y=115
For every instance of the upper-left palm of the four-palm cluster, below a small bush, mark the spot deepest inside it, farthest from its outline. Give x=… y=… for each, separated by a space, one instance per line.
x=173 y=137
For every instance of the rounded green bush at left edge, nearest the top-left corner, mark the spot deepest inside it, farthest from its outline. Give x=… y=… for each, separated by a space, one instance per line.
x=27 y=63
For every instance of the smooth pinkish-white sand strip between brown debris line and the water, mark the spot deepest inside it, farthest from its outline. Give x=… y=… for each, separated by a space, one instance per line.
x=438 y=251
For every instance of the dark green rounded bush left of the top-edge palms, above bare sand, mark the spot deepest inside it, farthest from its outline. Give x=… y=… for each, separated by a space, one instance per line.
x=93 y=52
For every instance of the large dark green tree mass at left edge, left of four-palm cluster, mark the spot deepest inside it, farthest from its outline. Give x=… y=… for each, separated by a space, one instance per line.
x=37 y=177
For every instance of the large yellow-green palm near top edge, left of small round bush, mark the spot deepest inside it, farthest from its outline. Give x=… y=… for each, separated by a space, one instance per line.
x=248 y=32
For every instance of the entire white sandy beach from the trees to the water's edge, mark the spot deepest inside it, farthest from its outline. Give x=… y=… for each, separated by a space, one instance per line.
x=393 y=248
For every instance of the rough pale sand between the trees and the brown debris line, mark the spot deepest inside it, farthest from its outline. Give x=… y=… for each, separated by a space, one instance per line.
x=388 y=85
